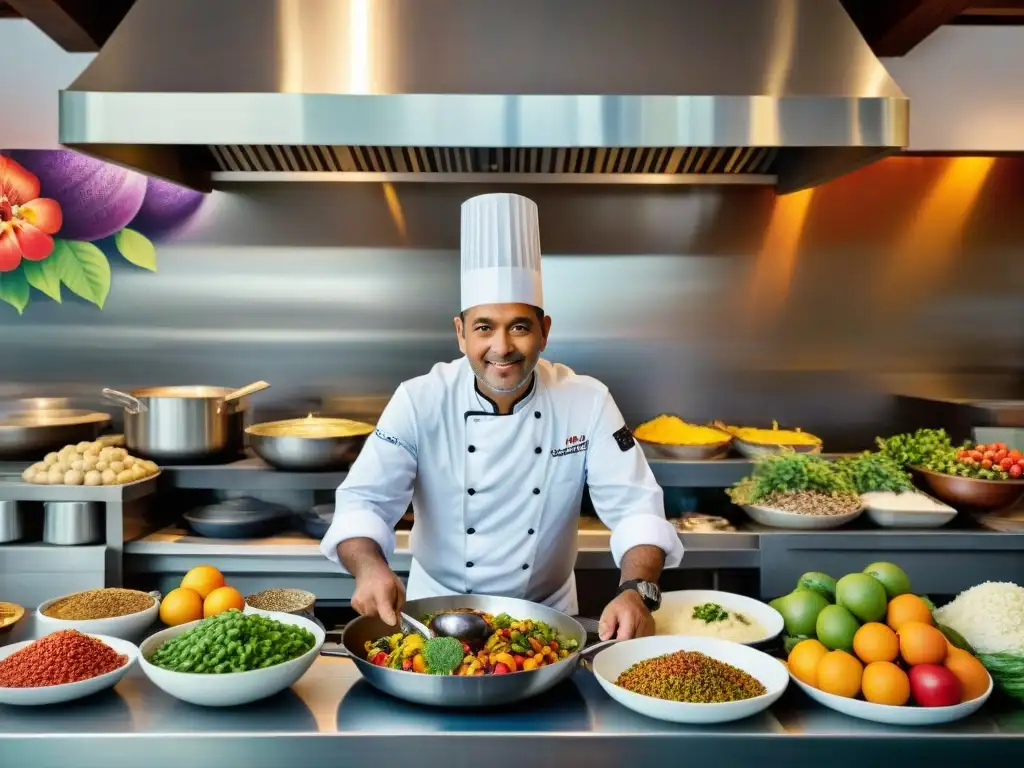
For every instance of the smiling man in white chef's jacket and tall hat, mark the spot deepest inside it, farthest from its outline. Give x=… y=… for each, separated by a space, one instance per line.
x=494 y=450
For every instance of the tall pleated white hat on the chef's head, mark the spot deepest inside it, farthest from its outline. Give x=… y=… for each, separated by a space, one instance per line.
x=501 y=251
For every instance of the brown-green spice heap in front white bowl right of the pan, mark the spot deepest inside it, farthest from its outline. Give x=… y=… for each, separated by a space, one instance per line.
x=690 y=676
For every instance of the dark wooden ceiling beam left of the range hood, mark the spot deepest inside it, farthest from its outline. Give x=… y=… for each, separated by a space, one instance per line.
x=77 y=26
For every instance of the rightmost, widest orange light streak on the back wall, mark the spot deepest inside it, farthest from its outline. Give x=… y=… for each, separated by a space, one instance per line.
x=924 y=251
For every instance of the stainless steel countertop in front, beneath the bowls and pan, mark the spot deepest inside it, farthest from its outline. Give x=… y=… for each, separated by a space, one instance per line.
x=332 y=715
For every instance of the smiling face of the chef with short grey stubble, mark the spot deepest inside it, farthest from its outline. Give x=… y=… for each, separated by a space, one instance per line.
x=503 y=344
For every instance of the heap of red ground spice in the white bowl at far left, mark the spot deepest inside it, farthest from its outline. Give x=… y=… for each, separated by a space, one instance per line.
x=66 y=657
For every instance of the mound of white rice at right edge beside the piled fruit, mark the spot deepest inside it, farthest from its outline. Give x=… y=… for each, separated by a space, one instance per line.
x=991 y=617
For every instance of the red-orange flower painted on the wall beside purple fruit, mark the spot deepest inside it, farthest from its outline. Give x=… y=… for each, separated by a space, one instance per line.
x=27 y=222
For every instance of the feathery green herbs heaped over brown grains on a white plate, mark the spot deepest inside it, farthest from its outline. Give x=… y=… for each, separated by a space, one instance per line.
x=789 y=474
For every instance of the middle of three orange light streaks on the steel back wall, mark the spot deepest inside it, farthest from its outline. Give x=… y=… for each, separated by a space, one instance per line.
x=772 y=279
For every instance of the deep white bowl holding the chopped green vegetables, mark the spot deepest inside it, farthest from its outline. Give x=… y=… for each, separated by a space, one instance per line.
x=234 y=689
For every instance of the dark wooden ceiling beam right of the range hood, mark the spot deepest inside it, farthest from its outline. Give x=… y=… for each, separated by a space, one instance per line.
x=892 y=28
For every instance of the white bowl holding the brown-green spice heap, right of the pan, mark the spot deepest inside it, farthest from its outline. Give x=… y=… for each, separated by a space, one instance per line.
x=614 y=661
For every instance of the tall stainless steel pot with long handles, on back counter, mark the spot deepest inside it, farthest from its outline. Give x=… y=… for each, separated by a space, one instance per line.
x=178 y=425
